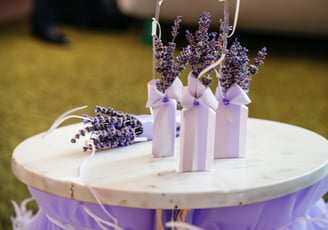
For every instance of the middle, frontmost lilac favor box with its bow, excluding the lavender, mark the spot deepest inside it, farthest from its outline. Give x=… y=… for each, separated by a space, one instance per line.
x=197 y=127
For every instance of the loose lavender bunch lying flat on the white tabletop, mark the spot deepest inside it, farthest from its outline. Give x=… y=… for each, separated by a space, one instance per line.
x=109 y=129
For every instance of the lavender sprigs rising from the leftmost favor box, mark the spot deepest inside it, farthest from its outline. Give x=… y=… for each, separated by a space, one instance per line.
x=168 y=65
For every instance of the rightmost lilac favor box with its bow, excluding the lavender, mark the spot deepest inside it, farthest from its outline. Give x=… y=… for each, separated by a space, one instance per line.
x=231 y=123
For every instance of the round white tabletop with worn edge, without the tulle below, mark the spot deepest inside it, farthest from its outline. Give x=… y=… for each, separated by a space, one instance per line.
x=280 y=159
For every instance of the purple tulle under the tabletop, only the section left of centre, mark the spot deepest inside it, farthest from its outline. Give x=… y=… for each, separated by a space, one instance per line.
x=70 y=212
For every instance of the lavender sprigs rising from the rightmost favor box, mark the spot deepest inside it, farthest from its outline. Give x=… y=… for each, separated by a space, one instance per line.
x=237 y=69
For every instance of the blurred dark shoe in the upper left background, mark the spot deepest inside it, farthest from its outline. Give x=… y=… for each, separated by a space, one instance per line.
x=51 y=35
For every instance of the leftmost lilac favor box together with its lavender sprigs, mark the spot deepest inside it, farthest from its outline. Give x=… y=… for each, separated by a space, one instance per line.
x=165 y=92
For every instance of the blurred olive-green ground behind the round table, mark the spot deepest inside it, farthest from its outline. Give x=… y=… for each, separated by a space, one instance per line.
x=39 y=81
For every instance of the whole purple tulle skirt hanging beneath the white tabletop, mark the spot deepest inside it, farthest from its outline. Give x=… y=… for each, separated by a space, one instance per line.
x=302 y=210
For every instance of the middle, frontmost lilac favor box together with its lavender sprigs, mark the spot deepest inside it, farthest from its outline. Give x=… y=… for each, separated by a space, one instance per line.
x=199 y=104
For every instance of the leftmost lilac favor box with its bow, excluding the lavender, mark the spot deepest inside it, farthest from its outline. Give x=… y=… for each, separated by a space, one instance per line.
x=163 y=107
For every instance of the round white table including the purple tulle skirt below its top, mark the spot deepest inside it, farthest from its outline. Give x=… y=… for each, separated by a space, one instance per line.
x=282 y=162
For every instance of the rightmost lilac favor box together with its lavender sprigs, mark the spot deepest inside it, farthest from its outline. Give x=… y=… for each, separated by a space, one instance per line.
x=232 y=94
